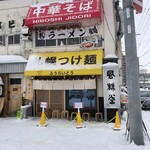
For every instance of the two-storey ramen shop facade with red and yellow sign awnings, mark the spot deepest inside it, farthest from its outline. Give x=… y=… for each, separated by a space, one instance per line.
x=65 y=43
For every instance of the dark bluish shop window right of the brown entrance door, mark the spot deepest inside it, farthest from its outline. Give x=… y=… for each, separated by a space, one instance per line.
x=88 y=97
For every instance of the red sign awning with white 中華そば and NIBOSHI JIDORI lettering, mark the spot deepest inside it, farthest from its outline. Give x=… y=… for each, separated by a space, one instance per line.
x=62 y=12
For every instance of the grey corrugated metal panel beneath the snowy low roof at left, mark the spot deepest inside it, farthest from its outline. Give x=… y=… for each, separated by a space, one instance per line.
x=12 y=68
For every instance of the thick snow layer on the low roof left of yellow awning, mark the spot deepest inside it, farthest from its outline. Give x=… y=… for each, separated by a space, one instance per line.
x=12 y=59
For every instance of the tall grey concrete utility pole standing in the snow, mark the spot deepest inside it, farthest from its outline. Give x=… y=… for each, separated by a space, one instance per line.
x=135 y=116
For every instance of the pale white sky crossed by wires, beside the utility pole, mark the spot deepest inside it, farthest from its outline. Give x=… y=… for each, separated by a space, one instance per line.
x=142 y=24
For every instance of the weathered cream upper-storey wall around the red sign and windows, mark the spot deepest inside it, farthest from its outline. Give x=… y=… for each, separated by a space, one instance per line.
x=17 y=11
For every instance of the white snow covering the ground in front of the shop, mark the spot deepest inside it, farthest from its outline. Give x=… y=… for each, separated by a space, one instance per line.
x=17 y=134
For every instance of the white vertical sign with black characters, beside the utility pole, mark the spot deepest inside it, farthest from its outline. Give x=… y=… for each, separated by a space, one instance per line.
x=111 y=85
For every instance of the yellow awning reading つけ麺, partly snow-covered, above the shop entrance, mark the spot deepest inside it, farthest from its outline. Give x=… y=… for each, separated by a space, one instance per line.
x=65 y=63
